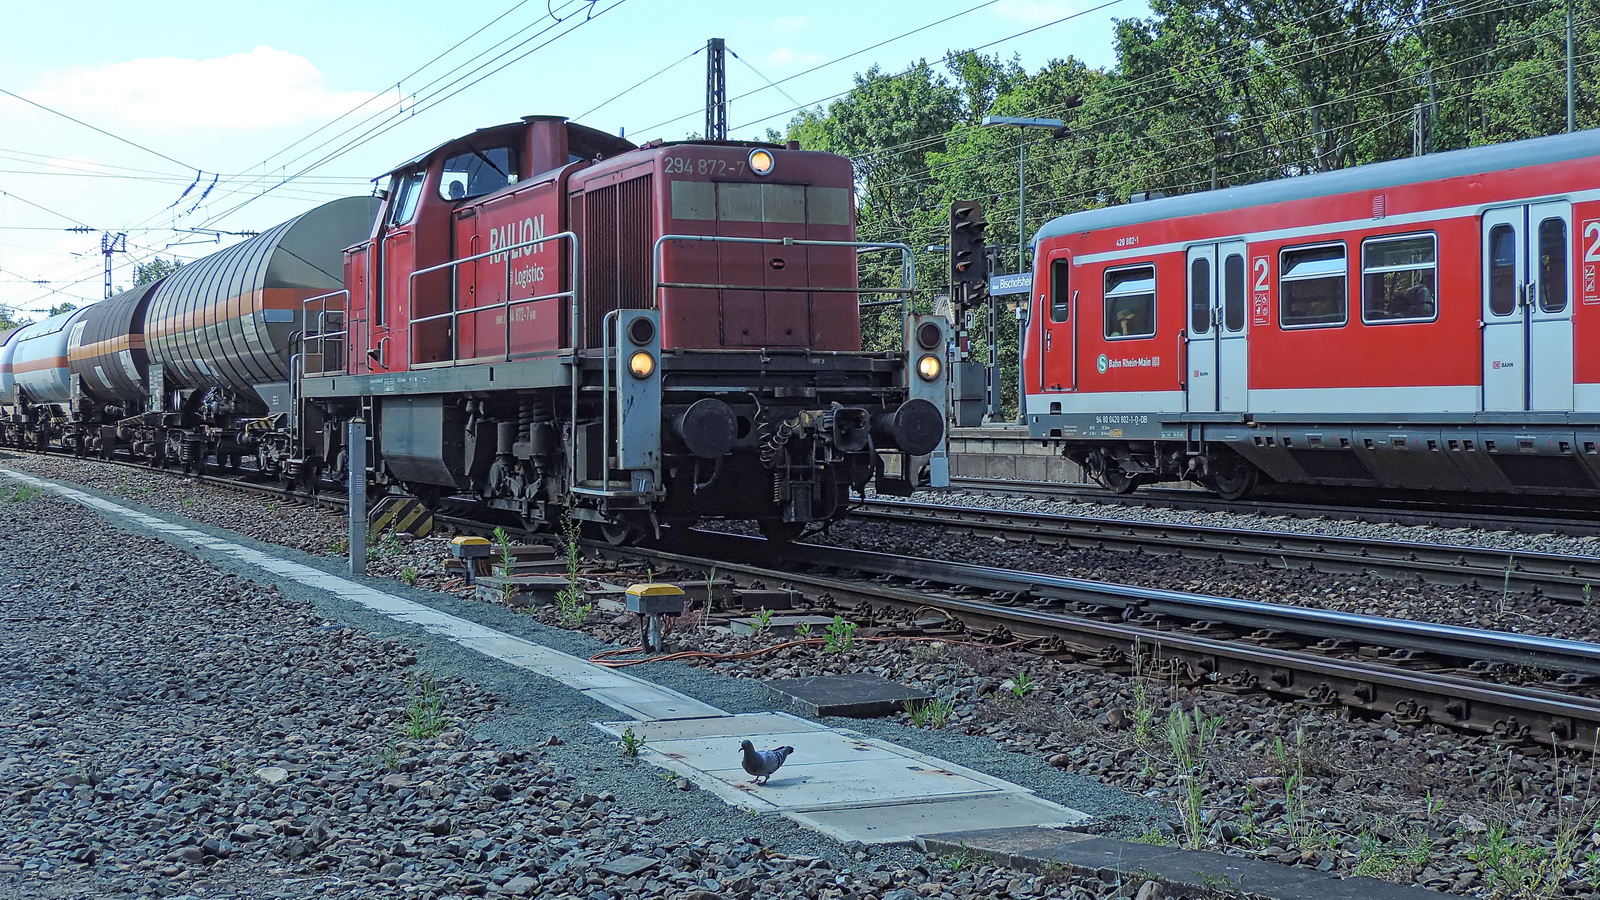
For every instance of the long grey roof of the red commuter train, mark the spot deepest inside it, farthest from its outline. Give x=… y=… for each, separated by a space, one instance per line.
x=1450 y=164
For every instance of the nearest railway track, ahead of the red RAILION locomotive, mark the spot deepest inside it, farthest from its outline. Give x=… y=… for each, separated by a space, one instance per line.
x=1420 y=673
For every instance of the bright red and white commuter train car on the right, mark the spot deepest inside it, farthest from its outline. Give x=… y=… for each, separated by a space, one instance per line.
x=1414 y=324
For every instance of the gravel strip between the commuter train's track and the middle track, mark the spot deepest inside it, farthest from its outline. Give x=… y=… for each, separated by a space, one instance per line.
x=1486 y=537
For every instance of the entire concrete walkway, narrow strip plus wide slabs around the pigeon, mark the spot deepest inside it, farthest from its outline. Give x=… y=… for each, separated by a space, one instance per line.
x=841 y=782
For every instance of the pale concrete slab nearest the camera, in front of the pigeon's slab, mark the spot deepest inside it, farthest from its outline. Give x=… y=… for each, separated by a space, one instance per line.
x=905 y=824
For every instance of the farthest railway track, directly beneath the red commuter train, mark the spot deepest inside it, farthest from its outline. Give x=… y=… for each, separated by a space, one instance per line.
x=1521 y=515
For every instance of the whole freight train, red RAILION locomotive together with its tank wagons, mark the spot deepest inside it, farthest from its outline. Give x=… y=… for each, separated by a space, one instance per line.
x=540 y=316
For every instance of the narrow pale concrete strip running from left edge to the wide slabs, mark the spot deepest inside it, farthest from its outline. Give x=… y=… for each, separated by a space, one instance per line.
x=630 y=696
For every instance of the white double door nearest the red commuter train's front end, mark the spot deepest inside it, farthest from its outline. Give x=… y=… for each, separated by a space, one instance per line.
x=1218 y=347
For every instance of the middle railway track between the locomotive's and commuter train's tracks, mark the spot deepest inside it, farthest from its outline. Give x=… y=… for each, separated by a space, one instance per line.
x=1561 y=577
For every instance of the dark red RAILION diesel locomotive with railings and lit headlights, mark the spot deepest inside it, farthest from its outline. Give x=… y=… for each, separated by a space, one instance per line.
x=553 y=319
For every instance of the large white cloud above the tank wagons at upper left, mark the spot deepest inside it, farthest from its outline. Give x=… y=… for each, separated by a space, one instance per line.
x=263 y=89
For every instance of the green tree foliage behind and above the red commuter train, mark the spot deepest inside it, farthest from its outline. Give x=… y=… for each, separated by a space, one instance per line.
x=1204 y=94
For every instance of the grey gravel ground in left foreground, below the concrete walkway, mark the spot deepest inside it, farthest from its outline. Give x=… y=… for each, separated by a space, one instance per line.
x=174 y=729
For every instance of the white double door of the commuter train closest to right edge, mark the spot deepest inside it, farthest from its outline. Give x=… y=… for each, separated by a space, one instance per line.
x=1527 y=308
